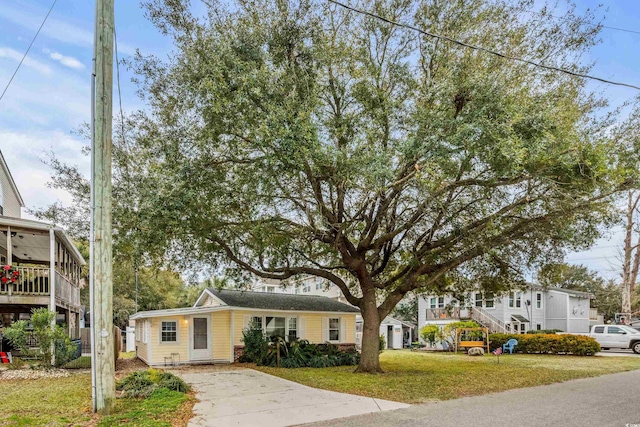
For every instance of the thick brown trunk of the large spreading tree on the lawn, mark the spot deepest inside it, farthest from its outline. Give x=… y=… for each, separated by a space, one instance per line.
x=370 y=356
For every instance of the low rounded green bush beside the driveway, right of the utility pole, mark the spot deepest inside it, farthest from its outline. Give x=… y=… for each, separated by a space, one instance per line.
x=141 y=384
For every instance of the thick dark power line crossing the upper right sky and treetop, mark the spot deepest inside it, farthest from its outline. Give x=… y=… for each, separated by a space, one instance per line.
x=480 y=48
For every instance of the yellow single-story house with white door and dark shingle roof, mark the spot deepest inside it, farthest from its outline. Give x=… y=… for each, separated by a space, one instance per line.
x=211 y=330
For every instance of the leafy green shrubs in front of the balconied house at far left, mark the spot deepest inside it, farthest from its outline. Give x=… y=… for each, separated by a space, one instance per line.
x=46 y=335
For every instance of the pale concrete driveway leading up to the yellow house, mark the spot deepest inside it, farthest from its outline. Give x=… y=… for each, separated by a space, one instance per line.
x=244 y=397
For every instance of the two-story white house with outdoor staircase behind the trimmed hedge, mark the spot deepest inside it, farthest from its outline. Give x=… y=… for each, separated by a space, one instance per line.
x=519 y=311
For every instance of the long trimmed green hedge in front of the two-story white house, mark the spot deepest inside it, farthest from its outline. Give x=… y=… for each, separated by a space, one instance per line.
x=578 y=345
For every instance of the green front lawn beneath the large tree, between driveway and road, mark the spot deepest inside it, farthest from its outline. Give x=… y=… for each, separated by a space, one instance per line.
x=417 y=377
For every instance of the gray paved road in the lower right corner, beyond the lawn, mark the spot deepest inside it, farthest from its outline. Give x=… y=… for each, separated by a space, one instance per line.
x=609 y=400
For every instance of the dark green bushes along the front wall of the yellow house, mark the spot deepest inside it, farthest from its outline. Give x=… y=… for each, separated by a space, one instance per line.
x=293 y=353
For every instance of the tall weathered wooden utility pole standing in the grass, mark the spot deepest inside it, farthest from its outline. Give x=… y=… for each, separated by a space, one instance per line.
x=103 y=365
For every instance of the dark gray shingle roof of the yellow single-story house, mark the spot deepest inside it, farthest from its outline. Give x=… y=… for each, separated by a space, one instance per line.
x=274 y=301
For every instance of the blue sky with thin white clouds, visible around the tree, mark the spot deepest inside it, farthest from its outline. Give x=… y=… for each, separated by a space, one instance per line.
x=49 y=96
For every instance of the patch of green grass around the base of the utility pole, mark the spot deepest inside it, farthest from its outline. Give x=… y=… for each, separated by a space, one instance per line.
x=67 y=402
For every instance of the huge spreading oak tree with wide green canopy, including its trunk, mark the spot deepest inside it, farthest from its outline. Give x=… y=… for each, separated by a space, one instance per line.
x=299 y=138
